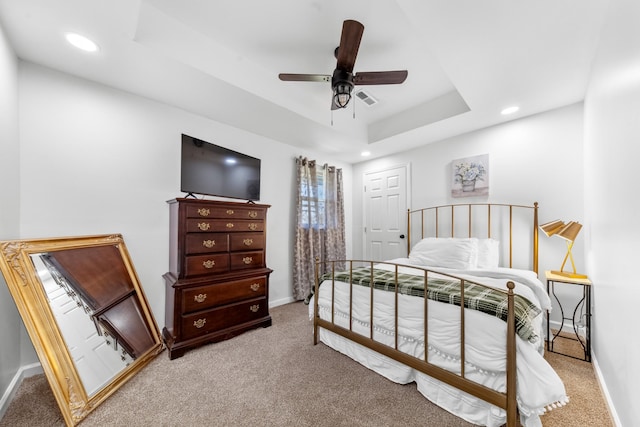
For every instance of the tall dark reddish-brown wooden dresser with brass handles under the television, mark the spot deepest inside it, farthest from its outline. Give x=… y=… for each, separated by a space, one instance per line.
x=217 y=285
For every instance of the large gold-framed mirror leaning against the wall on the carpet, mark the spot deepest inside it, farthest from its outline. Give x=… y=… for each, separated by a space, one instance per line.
x=85 y=312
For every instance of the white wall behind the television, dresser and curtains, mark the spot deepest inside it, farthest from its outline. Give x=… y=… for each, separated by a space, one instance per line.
x=98 y=160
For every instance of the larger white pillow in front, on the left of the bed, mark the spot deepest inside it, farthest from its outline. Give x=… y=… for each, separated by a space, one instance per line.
x=445 y=252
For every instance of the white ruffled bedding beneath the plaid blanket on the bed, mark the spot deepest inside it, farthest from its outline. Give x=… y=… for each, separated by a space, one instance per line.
x=538 y=386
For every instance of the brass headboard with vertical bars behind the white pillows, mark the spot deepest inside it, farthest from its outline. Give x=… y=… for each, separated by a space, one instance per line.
x=444 y=221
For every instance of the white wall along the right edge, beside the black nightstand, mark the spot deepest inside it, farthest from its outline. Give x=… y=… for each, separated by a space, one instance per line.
x=612 y=150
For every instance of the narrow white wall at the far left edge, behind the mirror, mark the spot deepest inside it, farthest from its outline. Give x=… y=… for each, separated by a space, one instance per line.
x=11 y=327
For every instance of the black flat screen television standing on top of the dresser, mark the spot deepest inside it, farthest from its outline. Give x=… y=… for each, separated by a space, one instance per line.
x=209 y=169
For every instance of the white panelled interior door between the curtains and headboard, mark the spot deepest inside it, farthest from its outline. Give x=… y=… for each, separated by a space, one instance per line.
x=385 y=211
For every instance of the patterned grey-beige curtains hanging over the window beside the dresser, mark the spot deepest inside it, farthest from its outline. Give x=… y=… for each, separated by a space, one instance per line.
x=319 y=222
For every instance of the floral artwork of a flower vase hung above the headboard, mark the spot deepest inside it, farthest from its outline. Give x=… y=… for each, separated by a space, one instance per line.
x=470 y=176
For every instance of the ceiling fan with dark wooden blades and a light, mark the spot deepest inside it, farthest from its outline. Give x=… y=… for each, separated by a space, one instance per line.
x=343 y=79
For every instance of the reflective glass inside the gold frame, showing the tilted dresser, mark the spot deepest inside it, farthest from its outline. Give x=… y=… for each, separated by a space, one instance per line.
x=94 y=314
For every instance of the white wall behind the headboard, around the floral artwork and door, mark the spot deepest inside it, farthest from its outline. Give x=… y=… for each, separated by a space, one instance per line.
x=537 y=158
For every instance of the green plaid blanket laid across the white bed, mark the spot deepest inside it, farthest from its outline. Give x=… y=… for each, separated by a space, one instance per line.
x=447 y=290
